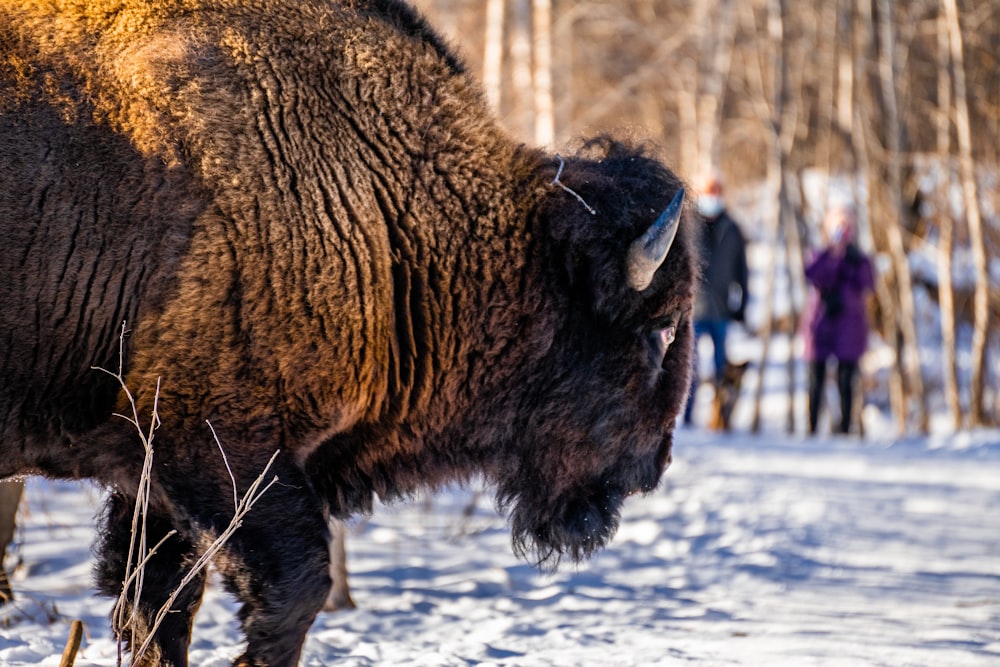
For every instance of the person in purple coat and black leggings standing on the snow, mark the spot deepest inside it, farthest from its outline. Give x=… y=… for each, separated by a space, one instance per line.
x=836 y=322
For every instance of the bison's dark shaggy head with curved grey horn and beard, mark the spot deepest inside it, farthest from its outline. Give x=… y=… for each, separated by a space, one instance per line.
x=594 y=409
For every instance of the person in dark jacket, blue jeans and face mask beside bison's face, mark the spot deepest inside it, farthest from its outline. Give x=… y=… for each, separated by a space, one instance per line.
x=722 y=292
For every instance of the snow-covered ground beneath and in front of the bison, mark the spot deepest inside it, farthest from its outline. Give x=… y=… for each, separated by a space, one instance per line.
x=754 y=551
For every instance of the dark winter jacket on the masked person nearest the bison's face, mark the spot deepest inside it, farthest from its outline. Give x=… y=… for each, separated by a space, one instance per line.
x=722 y=294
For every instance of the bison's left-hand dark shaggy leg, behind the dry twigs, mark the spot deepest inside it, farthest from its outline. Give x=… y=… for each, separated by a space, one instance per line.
x=162 y=574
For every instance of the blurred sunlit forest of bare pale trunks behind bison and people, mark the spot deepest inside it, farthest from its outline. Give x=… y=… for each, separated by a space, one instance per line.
x=893 y=105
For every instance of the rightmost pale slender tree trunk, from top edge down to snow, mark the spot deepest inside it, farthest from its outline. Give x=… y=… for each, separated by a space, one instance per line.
x=973 y=217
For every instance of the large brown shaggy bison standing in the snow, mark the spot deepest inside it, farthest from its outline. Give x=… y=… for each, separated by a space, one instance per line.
x=322 y=243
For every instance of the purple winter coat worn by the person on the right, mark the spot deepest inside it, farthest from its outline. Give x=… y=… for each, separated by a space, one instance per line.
x=836 y=322
